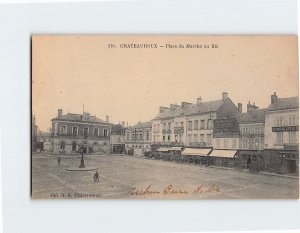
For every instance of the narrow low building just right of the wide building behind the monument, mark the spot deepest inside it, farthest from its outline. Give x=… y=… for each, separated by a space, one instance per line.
x=117 y=135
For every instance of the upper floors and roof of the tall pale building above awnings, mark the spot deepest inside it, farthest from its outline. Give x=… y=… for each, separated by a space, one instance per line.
x=190 y=124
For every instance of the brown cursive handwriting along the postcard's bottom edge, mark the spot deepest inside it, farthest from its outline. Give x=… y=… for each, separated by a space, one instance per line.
x=172 y=190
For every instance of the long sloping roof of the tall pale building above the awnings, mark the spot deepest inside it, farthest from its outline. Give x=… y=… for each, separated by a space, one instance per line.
x=191 y=109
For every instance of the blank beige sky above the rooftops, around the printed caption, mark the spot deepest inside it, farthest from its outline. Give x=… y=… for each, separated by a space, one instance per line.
x=129 y=84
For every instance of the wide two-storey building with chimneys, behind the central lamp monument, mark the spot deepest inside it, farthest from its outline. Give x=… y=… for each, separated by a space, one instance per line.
x=71 y=132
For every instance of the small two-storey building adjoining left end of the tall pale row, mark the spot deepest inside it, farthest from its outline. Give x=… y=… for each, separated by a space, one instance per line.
x=138 y=138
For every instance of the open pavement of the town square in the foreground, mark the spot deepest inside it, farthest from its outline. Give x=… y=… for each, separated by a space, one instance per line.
x=131 y=177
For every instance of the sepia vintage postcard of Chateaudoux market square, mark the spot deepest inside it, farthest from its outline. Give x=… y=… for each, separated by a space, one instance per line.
x=164 y=117
